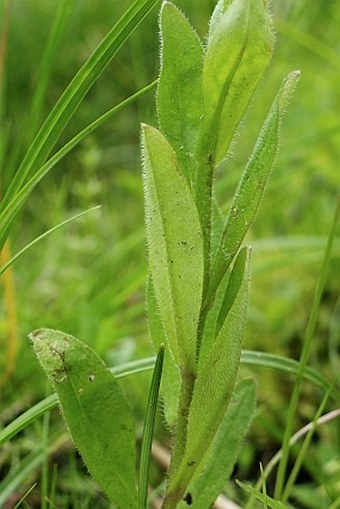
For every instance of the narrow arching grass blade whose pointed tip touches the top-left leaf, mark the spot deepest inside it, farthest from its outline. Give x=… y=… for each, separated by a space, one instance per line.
x=18 y=200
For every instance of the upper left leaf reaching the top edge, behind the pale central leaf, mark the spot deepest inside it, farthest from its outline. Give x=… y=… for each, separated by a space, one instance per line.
x=180 y=97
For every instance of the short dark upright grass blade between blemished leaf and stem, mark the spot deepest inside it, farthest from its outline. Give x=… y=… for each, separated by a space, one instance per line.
x=149 y=425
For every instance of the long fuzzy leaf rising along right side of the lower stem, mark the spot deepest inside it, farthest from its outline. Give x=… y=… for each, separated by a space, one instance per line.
x=216 y=375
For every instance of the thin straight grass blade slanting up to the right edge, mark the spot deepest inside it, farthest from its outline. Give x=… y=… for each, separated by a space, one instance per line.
x=306 y=349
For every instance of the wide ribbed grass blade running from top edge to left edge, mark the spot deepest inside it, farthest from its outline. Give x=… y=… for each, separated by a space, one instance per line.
x=73 y=95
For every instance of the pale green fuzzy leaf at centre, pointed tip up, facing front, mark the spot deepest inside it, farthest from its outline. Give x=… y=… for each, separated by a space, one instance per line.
x=175 y=246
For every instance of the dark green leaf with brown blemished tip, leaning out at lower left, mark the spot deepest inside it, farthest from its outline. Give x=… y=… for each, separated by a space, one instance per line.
x=95 y=410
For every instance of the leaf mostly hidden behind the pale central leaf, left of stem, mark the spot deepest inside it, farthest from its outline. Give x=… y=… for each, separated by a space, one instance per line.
x=170 y=384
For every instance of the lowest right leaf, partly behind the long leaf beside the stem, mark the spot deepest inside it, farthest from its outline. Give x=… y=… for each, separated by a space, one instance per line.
x=218 y=462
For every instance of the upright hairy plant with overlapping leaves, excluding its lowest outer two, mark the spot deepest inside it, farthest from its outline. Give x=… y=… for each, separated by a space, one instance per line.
x=178 y=164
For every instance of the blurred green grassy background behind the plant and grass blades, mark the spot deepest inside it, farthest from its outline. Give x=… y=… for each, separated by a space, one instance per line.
x=89 y=278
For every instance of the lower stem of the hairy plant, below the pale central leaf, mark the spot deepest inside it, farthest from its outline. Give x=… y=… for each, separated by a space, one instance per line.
x=174 y=491
